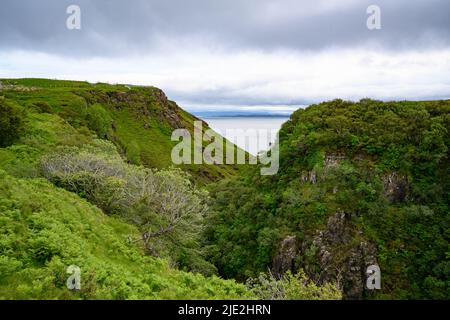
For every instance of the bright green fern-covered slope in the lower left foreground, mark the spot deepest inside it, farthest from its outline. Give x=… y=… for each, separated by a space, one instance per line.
x=43 y=230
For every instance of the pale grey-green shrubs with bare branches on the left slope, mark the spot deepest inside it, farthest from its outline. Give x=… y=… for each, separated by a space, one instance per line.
x=165 y=206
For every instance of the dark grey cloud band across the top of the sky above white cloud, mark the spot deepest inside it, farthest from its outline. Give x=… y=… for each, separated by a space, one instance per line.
x=115 y=27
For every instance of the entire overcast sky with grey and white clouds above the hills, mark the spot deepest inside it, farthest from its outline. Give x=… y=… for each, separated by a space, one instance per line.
x=212 y=53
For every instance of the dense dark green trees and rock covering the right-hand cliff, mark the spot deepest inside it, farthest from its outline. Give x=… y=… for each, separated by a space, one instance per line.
x=359 y=183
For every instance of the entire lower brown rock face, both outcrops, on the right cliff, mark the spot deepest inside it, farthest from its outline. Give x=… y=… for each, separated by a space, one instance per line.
x=339 y=254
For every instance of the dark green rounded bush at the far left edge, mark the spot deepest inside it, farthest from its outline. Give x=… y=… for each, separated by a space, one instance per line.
x=11 y=123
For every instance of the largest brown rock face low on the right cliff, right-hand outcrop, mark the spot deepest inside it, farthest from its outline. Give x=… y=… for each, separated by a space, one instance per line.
x=341 y=257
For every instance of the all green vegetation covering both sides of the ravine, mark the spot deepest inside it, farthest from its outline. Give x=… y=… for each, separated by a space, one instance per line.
x=86 y=179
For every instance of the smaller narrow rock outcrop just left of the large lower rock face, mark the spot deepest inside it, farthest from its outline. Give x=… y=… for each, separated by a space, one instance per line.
x=284 y=261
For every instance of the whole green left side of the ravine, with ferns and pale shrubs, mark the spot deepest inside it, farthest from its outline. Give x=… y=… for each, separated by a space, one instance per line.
x=85 y=181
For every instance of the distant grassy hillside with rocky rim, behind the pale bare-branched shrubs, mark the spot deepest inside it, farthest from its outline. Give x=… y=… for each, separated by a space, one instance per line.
x=141 y=118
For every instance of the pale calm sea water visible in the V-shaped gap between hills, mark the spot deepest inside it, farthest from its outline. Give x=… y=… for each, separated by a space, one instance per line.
x=249 y=133
